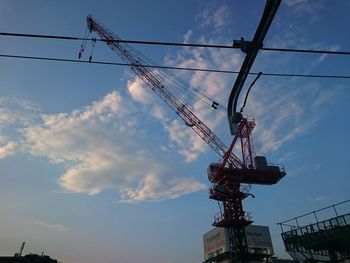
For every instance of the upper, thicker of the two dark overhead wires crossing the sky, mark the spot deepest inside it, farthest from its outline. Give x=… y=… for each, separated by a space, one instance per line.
x=233 y=46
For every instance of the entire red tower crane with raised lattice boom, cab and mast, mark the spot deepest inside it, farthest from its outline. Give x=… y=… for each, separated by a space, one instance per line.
x=226 y=177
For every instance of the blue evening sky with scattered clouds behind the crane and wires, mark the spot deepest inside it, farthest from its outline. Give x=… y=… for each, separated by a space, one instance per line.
x=94 y=167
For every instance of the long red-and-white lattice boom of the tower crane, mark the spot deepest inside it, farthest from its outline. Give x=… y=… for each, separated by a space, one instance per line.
x=146 y=72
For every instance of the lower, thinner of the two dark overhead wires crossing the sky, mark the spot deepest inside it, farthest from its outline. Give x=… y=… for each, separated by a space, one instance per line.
x=174 y=68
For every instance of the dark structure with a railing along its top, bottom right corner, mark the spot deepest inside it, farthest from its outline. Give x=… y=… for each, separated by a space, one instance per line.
x=324 y=240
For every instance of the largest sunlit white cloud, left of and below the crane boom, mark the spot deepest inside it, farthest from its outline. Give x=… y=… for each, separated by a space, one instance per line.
x=102 y=149
